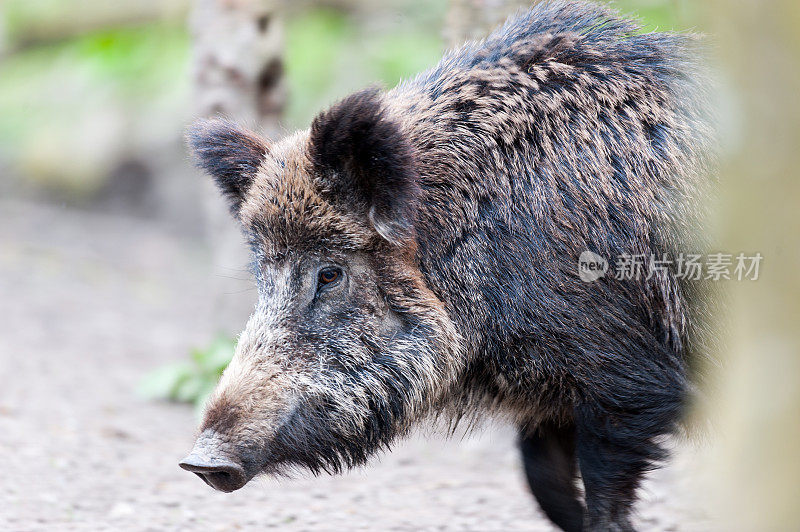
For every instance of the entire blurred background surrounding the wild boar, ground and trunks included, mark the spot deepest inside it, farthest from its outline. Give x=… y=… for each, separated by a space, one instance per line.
x=122 y=279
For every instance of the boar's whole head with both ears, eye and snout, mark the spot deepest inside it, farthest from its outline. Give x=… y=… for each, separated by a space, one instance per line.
x=347 y=346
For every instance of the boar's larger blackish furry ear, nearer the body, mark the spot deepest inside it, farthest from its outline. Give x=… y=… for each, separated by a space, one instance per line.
x=363 y=158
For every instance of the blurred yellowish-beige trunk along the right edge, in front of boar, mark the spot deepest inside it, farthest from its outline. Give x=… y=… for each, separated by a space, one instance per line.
x=758 y=464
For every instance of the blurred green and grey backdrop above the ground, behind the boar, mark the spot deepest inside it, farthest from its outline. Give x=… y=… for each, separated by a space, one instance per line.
x=95 y=95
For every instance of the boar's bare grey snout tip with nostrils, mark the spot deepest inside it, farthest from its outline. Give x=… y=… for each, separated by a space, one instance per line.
x=209 y=461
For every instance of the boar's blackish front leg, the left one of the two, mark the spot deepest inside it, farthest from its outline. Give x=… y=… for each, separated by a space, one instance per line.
x=548 y=456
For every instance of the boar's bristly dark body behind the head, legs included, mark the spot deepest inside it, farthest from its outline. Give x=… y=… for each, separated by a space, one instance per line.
x=565 y=131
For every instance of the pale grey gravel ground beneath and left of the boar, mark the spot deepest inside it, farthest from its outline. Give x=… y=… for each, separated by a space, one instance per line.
x=90 y=303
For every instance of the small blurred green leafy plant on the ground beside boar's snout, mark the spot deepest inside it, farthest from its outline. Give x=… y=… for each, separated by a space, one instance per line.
x=193 y=380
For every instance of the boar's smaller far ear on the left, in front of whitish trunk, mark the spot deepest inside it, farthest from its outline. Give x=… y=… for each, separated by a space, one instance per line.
x=230 y=154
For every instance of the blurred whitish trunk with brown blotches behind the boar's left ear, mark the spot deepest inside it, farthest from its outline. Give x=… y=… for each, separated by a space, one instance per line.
x=238 y=73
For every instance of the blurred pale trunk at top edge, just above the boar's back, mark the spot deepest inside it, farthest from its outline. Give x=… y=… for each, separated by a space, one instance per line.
x=474 y=19
